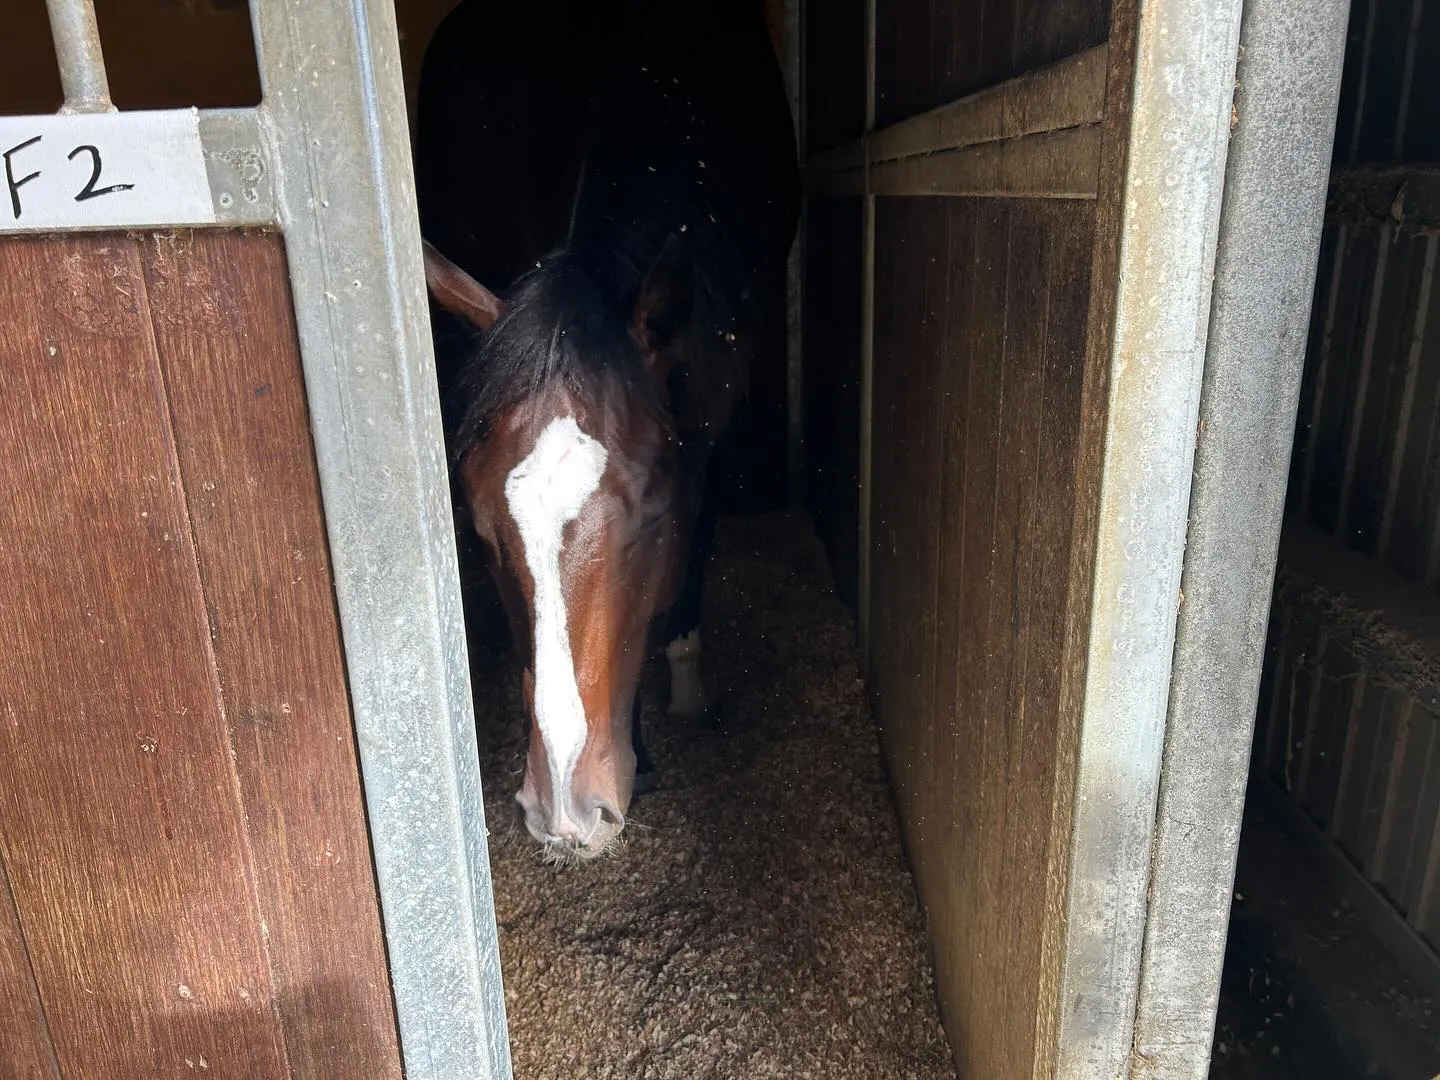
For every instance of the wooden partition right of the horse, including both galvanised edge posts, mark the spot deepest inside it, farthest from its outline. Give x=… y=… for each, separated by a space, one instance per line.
x=1012 y=251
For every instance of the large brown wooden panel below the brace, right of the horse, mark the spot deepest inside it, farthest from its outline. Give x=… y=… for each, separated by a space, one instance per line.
x=980 y=333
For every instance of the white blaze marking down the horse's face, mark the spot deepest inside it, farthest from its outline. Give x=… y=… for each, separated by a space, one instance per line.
x=545 y=493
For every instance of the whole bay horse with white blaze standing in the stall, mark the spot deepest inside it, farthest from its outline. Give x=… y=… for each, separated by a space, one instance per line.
x=608 y=194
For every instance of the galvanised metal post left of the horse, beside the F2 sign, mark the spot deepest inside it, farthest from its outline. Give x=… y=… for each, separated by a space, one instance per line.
x=336 y=107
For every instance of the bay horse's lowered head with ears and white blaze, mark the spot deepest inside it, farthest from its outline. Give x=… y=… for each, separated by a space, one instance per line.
x=571 y=467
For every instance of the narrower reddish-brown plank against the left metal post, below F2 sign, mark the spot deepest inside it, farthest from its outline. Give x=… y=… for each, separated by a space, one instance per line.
x=228 y=348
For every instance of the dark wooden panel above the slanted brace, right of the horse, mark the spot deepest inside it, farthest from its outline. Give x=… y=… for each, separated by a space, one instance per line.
x=932 y=54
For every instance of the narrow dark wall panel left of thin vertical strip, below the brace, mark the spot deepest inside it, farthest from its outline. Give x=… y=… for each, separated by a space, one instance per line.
x=832 y=395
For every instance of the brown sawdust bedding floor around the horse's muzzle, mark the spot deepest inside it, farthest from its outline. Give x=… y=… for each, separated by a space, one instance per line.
x=761 y=922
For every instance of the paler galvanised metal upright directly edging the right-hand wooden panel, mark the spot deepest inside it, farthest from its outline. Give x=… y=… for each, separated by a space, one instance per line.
x=1163 y=212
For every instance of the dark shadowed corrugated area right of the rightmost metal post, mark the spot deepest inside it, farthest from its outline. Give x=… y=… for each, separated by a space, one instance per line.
x=1333 y=966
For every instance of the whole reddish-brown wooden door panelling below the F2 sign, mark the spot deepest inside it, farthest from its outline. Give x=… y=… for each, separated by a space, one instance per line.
x=186 y=883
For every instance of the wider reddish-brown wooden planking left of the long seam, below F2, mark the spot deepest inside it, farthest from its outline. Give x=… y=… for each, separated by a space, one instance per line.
x=119 y=807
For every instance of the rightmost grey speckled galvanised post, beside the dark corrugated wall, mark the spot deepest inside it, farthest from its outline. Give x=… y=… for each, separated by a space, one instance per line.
x=1290 y=74
